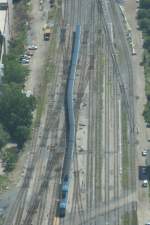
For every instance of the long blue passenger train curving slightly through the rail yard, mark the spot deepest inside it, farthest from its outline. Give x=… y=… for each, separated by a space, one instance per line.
x=70 y=123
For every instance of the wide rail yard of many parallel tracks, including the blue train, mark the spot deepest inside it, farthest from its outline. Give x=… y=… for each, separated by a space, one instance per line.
x=81 y=167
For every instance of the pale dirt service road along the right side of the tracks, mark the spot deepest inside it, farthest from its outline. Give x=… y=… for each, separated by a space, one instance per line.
x=143 y=133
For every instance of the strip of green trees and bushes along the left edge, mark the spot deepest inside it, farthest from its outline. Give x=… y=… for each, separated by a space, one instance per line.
x=15 y=106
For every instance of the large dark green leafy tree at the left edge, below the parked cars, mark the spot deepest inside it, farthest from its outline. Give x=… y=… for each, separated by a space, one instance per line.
x=16 y=112
